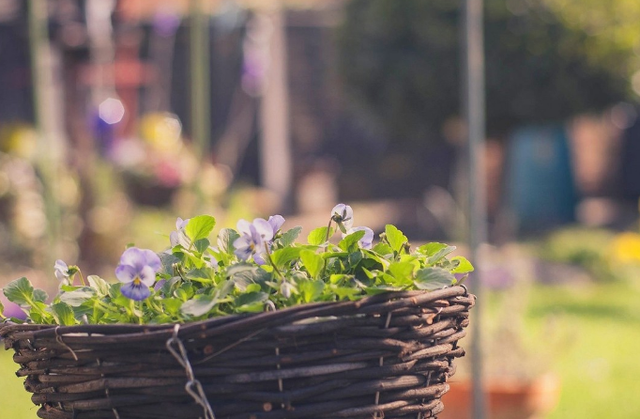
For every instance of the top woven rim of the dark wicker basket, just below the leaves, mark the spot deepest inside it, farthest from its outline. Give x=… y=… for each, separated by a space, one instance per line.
x=321 y=309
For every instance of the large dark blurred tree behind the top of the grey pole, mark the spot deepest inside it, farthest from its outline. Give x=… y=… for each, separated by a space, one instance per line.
x=400 y=60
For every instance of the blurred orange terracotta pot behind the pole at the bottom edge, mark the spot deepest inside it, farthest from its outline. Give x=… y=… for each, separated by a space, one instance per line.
x=508 y=398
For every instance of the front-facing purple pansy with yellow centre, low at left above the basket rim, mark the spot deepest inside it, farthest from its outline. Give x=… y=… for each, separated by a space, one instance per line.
x=137 y=270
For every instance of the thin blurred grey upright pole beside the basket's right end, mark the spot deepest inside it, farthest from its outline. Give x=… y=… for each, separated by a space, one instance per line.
x=474 y=110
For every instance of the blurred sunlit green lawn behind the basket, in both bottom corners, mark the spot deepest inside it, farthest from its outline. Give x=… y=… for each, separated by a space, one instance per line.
x=598 y=326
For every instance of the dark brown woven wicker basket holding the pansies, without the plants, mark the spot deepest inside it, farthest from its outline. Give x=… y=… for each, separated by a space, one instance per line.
x=384 y=356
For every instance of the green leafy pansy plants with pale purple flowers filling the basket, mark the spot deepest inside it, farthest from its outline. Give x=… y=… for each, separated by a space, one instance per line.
x=258 y=267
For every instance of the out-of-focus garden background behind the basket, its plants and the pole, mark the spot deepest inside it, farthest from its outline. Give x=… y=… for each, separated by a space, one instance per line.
x=117 y=116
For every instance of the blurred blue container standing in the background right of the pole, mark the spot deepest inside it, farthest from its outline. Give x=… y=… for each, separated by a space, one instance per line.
x=540 y=188
